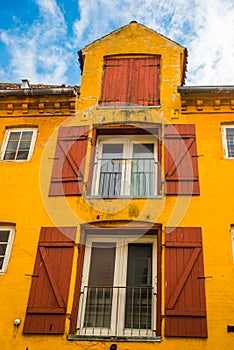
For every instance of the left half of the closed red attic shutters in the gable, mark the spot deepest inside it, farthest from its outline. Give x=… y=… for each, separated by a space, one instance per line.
x=115 y=82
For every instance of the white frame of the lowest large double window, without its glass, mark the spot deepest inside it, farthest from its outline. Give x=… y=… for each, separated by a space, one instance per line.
x=120 y=279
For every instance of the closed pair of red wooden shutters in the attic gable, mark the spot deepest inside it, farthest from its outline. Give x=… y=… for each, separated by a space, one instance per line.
x=131 y=81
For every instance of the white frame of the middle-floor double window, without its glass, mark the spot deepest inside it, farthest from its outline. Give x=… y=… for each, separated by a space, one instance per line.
x=128 y=141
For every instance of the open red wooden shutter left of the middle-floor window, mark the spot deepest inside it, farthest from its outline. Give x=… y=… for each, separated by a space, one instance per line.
x=69 y=162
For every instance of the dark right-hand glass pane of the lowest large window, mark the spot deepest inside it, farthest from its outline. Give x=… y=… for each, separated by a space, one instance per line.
x=139 y=287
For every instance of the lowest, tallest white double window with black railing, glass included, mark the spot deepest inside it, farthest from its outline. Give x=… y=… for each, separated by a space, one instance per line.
x=118 y=292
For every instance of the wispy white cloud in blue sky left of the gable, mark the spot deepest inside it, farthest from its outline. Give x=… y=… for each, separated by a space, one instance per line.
x=37 y=53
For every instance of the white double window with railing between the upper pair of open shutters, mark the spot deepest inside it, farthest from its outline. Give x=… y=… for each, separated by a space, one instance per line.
x=125 y=166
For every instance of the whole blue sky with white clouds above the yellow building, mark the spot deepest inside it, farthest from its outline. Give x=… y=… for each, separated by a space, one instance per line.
x=39 y=39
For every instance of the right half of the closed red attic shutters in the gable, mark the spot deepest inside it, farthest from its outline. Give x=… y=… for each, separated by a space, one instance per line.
x=144 y=85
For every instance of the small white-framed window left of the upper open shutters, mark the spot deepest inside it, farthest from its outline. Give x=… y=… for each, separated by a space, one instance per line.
x=19 y=144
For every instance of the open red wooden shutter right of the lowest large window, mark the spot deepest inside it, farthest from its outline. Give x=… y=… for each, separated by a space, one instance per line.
x=185 y=306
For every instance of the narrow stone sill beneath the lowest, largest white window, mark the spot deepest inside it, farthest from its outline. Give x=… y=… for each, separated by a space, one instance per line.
x=75 y=337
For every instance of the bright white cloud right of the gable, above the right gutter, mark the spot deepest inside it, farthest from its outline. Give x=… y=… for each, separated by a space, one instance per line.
x=212 y=50
